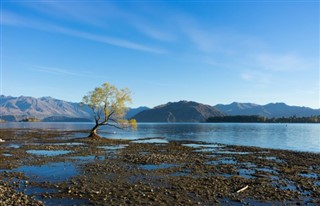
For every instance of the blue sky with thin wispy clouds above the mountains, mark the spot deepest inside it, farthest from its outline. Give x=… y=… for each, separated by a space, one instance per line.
x=206 y=51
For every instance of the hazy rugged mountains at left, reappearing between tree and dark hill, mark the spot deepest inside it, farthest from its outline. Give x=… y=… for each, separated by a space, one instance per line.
x=48 y=109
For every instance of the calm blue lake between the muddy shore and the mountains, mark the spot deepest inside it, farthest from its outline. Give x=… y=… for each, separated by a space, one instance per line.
x=299 y=137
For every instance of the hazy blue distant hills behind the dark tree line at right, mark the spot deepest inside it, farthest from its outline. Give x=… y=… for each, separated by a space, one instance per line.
x=268 y=110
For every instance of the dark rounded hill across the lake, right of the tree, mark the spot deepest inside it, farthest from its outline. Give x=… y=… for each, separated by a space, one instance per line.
x=183 y=111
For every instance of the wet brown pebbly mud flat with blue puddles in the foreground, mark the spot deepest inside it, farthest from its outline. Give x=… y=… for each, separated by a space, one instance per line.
x=47 y=167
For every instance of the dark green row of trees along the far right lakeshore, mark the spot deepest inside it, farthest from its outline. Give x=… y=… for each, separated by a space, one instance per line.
x=257 y=119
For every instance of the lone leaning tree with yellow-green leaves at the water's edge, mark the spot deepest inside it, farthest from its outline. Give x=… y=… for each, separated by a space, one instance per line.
x=108 y=104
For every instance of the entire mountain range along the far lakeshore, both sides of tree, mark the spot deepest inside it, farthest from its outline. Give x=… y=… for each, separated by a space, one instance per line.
x=50 y=109
